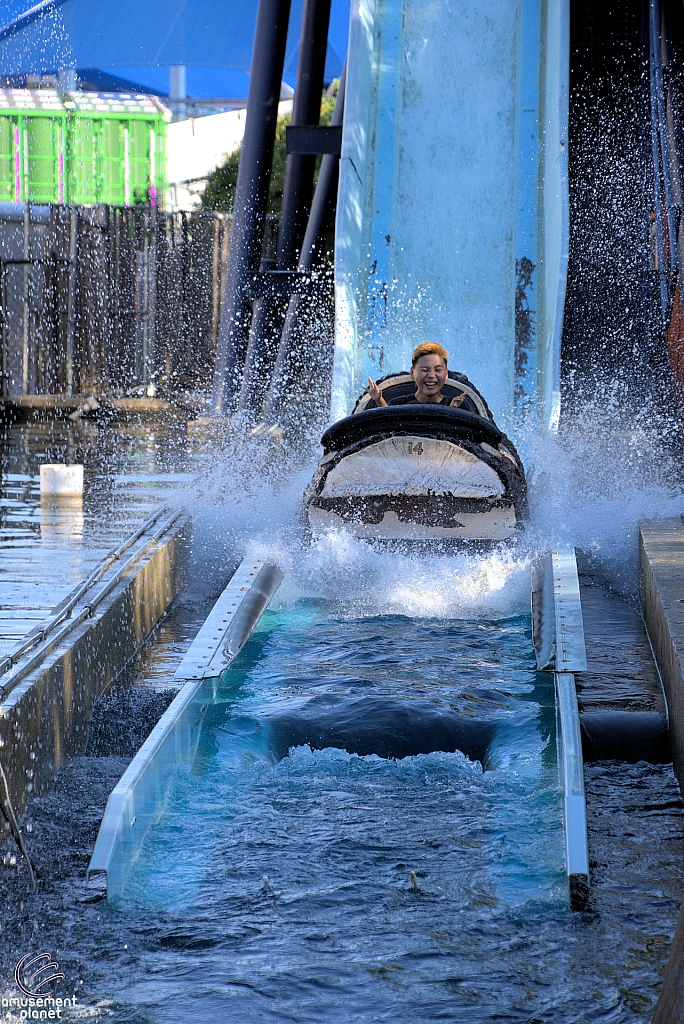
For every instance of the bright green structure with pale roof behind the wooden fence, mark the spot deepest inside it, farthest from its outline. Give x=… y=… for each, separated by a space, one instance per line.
x=83 y=148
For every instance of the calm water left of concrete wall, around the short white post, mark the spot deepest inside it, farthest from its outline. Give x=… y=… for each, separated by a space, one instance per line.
x=48 y=547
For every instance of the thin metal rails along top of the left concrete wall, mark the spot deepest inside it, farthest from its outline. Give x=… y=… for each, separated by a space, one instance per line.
x=49 y=636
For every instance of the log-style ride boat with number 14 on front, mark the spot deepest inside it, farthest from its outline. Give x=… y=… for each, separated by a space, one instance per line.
x=419 y=473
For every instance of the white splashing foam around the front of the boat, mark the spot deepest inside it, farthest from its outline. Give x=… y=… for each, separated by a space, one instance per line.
x=590 y=487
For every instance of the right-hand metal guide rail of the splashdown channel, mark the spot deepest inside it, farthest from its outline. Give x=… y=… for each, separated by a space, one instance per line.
x=560 y=642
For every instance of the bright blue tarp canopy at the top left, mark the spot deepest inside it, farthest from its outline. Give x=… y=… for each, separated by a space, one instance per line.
x=206 y=35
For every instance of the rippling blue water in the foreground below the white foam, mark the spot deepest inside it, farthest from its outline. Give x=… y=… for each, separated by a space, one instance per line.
x=282 y=889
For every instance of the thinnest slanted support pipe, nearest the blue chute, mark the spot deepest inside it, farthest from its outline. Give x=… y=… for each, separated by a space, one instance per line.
x=290 y=355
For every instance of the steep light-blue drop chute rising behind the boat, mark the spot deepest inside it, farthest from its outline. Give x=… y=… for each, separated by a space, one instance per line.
x=453 y=214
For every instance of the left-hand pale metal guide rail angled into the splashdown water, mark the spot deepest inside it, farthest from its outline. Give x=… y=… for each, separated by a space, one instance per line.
x=138 y=800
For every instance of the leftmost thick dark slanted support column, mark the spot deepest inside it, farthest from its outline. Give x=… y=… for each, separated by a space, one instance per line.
x=251 y=198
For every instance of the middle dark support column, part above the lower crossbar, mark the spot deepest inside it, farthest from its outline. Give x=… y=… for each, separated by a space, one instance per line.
x=307 y=111
